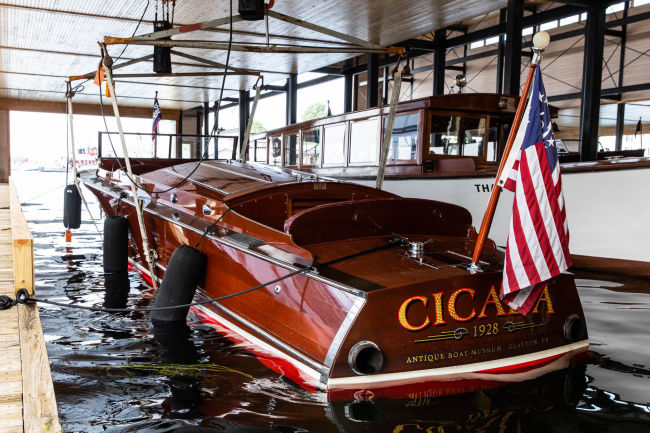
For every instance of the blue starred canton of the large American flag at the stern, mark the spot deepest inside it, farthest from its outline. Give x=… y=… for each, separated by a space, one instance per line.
x=540 y=126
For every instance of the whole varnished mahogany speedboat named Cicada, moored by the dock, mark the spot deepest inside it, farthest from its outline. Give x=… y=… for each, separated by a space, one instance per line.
x=386 y=298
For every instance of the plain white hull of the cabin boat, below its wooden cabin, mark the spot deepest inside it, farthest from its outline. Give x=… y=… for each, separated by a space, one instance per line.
x=608 y=210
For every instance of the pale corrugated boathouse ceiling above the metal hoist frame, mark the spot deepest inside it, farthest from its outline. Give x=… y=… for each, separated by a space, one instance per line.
x=43 y=42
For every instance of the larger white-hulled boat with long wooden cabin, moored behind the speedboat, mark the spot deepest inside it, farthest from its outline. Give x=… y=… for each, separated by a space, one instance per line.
x=446 y=148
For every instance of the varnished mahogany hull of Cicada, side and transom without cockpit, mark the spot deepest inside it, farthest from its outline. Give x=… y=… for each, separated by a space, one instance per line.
x=305 y=326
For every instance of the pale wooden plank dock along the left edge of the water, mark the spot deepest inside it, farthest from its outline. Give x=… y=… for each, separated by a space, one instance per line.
x=27 y=401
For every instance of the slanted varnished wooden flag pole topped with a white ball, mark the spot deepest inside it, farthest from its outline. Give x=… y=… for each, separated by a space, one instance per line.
x=540 y=41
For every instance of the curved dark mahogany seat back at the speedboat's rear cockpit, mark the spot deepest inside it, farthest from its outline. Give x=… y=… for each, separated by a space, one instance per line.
x=377 y=217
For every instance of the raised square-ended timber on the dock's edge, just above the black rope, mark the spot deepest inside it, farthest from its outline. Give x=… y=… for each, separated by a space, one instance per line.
x=23 y=244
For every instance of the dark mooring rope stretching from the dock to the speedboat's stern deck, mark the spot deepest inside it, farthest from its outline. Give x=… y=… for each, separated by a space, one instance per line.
x=23 y=295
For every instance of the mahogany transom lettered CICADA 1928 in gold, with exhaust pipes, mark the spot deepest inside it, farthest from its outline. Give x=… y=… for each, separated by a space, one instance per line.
x=456 y=336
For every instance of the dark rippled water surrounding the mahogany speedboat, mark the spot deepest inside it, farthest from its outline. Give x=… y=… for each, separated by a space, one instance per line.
x=114 y=373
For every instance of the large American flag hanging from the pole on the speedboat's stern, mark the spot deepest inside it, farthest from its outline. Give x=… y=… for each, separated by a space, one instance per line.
x=538 y=241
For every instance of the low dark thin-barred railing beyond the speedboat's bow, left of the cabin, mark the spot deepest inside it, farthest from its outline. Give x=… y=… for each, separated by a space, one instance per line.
x=184 y=146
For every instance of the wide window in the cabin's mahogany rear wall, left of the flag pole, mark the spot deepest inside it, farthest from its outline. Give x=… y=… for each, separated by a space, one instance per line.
x=457 y=135
